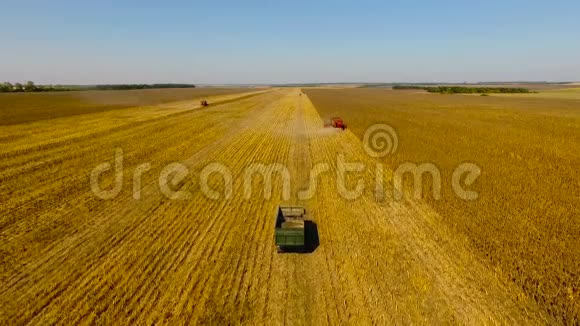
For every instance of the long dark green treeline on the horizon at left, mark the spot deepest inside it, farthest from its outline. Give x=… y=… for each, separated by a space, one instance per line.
x=31 y=87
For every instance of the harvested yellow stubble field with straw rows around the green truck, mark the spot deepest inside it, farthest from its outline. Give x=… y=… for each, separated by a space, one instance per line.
x=69 y=257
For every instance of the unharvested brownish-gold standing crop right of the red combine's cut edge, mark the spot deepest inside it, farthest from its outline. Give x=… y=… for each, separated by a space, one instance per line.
x=525 y=221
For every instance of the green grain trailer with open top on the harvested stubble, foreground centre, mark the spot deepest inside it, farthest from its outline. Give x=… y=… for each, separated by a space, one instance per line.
x=289 y=231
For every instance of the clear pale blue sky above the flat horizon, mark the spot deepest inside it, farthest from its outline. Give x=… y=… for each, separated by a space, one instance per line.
x=86 y=42
